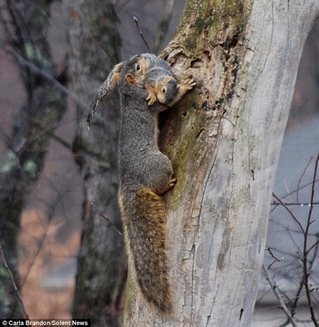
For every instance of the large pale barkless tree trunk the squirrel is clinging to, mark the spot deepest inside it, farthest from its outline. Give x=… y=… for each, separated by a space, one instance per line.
x=224 y=140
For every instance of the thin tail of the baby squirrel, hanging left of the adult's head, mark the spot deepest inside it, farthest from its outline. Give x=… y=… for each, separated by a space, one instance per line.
x=109 y=84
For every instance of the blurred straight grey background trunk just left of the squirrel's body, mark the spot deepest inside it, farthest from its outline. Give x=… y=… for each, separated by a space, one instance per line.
x=95 y=45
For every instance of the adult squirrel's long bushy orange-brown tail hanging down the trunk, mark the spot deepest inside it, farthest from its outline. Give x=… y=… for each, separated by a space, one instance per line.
x=145 y=229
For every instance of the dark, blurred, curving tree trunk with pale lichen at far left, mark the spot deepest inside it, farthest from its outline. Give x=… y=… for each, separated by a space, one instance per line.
x=33 y=127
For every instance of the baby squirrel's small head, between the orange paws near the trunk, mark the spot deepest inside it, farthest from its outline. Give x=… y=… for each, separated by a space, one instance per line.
x=166 y=88
